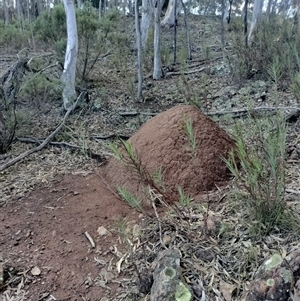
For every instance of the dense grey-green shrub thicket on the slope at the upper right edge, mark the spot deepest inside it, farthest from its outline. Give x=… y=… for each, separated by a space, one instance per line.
x=274 y=40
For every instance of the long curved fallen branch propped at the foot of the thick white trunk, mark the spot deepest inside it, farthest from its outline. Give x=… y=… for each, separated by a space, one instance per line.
x=45 y=142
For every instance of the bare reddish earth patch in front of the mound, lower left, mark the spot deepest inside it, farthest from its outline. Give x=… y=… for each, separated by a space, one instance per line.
x=46 y=230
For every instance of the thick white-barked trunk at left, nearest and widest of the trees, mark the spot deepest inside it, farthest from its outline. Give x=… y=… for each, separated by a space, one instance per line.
x=69 y=73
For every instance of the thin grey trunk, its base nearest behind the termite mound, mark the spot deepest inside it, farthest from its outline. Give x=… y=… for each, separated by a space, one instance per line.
x=139 y=49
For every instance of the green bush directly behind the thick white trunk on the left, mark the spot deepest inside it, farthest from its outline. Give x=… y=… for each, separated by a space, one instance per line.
x=95 y=37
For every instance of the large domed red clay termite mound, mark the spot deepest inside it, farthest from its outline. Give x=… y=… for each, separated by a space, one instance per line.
x=163 y=144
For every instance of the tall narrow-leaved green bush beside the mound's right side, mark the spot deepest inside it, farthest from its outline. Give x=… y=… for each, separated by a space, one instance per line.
x=259 y=168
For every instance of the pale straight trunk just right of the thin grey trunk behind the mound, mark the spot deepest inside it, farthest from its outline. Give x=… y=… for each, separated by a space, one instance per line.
x=157 y=72
